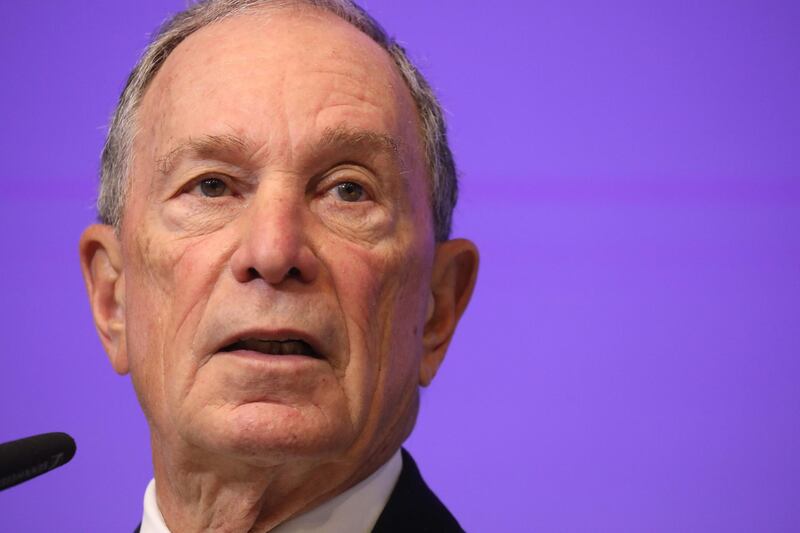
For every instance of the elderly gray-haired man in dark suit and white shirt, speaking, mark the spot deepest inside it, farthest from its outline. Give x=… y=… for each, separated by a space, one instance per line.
x=273 y=268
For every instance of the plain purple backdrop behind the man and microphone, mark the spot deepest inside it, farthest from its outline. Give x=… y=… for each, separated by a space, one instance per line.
x=631 y=173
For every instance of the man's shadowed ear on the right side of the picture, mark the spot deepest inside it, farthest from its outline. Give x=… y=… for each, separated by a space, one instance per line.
x=455 y=269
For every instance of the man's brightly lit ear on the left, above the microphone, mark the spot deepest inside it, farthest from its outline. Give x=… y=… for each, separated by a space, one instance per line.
x=101 y=264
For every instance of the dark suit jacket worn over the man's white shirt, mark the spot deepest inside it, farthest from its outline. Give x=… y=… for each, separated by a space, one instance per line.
x=412 y=506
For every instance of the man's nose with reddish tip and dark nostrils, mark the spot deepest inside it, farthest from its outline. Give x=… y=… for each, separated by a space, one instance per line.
x=274 y=245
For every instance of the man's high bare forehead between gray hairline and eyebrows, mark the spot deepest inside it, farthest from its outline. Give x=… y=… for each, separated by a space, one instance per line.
x=277 y=77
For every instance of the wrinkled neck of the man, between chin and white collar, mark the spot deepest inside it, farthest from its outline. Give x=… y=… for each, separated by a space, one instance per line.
x=202 y=493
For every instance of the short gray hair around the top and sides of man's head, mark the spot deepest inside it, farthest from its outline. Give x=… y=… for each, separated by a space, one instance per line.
x=117 y=153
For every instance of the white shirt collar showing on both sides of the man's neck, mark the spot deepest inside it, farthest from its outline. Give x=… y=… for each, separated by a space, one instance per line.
x=354 y=511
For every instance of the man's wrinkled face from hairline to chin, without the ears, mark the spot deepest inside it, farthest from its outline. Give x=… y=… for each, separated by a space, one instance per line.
x=277 y=243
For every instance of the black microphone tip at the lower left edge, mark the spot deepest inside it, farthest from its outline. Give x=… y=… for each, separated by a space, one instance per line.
x=23 y=459
